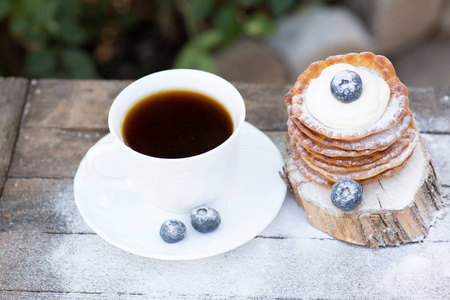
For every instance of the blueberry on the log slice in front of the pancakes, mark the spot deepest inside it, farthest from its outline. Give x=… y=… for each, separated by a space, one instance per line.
x=346 y=194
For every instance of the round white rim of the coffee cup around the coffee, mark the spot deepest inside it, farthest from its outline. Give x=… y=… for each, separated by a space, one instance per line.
x=237 y=127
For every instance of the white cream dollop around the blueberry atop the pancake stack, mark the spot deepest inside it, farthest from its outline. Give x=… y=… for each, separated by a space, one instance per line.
x=358 y=114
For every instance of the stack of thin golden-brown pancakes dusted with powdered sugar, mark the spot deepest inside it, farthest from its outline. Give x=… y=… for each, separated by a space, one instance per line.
x=327 y=155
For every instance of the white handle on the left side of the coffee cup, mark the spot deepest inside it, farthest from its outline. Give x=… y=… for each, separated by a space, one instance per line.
x=104 y=164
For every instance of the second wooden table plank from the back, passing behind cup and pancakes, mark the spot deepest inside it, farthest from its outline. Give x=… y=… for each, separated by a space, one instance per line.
x=56 y=153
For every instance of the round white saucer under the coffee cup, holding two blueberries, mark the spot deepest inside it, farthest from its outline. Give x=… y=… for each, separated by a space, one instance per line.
x=248 y=206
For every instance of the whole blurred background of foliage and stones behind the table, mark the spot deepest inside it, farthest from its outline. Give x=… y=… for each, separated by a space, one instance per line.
x=261 y=41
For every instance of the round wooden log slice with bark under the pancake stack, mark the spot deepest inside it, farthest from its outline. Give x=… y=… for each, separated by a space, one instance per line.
x=395 y=210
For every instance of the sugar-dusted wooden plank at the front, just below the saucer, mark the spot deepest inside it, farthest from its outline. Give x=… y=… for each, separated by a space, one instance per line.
x=263 y=268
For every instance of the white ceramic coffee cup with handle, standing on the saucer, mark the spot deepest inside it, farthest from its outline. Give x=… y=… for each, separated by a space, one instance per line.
x=178 y=184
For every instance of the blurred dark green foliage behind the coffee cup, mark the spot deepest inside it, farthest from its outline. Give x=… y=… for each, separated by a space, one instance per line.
x=125 y=38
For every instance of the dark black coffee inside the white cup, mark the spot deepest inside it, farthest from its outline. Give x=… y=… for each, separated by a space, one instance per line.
x=176 y=124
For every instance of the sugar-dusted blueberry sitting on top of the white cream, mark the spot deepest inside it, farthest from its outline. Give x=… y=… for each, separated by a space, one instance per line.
x=346 y=86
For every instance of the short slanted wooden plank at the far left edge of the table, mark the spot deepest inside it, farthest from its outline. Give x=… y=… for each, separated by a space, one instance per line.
x=12 y=99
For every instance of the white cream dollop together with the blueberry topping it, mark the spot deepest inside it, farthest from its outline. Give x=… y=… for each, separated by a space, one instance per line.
x=339 y=99
